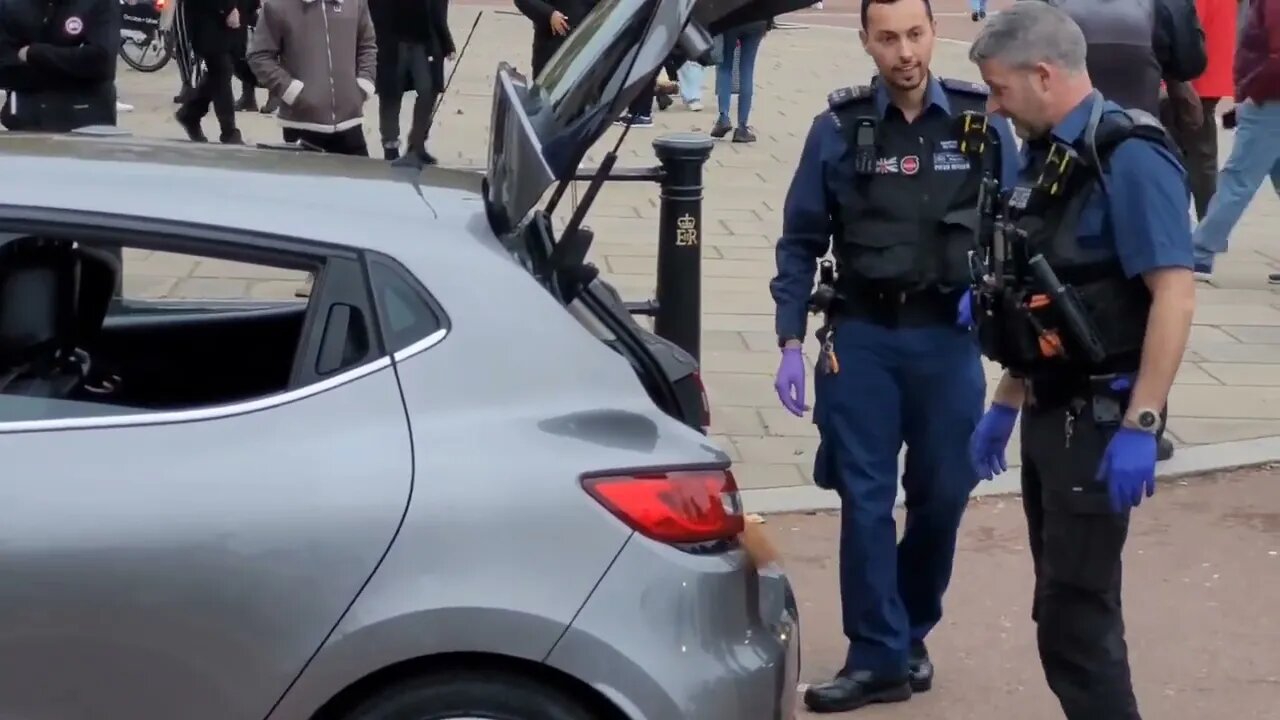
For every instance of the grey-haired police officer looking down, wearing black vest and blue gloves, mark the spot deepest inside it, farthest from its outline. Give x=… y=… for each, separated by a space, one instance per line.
x=1089 y=306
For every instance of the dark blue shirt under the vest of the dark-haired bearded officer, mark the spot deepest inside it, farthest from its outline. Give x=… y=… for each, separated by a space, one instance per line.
x=811 y=207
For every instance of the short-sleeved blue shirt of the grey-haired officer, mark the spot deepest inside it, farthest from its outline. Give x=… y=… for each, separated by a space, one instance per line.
x=1144 y=213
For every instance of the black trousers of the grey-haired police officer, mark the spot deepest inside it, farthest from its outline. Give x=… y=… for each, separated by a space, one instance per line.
x=1076 y=543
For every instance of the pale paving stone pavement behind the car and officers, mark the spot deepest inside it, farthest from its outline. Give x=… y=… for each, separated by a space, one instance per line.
x=1228 y=389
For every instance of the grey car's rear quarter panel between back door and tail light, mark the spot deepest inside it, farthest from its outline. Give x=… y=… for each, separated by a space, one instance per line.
x=501 y=546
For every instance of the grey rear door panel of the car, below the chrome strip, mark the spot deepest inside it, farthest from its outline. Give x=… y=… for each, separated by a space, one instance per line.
x=191 y=569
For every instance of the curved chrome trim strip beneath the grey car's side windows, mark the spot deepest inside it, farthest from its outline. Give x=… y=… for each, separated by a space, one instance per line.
x=230 y=411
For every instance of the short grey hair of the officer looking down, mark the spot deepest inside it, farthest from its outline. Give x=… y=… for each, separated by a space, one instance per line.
x=1028 y=34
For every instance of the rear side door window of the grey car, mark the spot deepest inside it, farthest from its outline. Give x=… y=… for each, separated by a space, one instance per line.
x=136 y=329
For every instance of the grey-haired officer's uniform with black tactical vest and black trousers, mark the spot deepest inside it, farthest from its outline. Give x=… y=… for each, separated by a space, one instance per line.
x=1071 y=320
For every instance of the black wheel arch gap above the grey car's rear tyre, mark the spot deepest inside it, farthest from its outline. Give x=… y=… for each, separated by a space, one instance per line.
x=351 y=698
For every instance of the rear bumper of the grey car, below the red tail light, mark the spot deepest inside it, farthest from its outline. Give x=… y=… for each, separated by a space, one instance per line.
x=670 y=636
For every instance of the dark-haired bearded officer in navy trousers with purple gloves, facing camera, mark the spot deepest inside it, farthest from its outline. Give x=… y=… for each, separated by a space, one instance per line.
x=883 y=183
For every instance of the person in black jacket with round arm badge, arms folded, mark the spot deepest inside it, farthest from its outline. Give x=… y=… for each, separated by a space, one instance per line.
x=58 y=63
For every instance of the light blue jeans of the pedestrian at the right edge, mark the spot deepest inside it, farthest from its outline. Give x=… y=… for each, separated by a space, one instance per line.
x=1255 y=156
